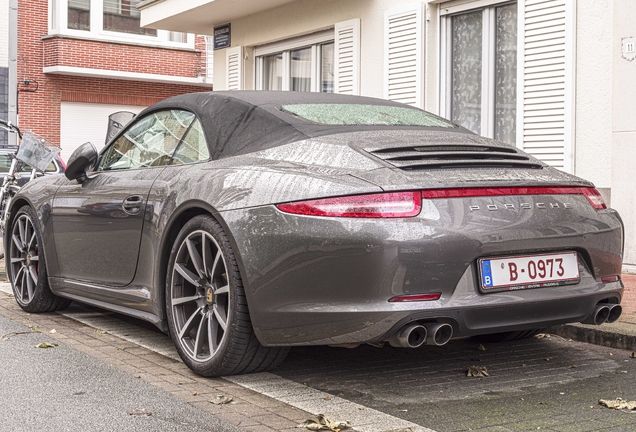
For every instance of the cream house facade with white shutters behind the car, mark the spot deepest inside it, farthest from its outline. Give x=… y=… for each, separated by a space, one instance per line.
x=549 y=76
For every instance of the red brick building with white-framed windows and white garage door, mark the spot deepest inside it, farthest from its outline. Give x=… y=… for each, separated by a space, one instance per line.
x=78 y=61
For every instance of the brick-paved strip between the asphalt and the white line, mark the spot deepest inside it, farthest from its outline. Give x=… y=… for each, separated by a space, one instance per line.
x=249 y=410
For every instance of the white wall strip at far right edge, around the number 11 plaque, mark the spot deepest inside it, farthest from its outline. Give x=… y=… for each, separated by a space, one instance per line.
x=624 y=125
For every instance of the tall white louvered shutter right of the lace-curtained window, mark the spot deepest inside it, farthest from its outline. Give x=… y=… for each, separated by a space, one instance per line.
x=547 y=95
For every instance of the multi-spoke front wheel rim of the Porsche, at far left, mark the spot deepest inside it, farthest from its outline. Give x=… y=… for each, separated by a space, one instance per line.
x=25 y=257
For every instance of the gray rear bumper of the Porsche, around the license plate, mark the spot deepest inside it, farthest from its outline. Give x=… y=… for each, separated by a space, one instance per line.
x=317 y=280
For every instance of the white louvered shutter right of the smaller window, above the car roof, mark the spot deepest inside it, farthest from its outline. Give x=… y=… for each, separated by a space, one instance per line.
x=347 y=57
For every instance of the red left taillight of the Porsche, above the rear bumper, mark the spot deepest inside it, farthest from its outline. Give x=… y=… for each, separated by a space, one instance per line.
x=384 y=205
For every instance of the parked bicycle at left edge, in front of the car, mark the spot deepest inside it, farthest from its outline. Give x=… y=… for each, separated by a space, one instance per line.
x=34 y=151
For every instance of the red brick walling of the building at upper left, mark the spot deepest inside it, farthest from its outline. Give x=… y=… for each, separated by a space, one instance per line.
x=39 y=110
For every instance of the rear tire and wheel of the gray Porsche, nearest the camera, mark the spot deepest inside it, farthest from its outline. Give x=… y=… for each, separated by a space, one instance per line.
x=207 y=312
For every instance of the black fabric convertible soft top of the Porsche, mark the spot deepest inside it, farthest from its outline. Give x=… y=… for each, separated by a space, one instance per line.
x=241 y=122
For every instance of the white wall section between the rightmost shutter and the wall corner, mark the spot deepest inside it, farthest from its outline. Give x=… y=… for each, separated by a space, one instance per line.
x=593 y=117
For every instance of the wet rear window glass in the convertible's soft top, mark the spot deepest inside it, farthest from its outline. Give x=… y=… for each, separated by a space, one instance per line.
x=365 y=115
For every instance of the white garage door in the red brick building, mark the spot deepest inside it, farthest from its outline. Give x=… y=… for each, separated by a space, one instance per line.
x=81 y=122
